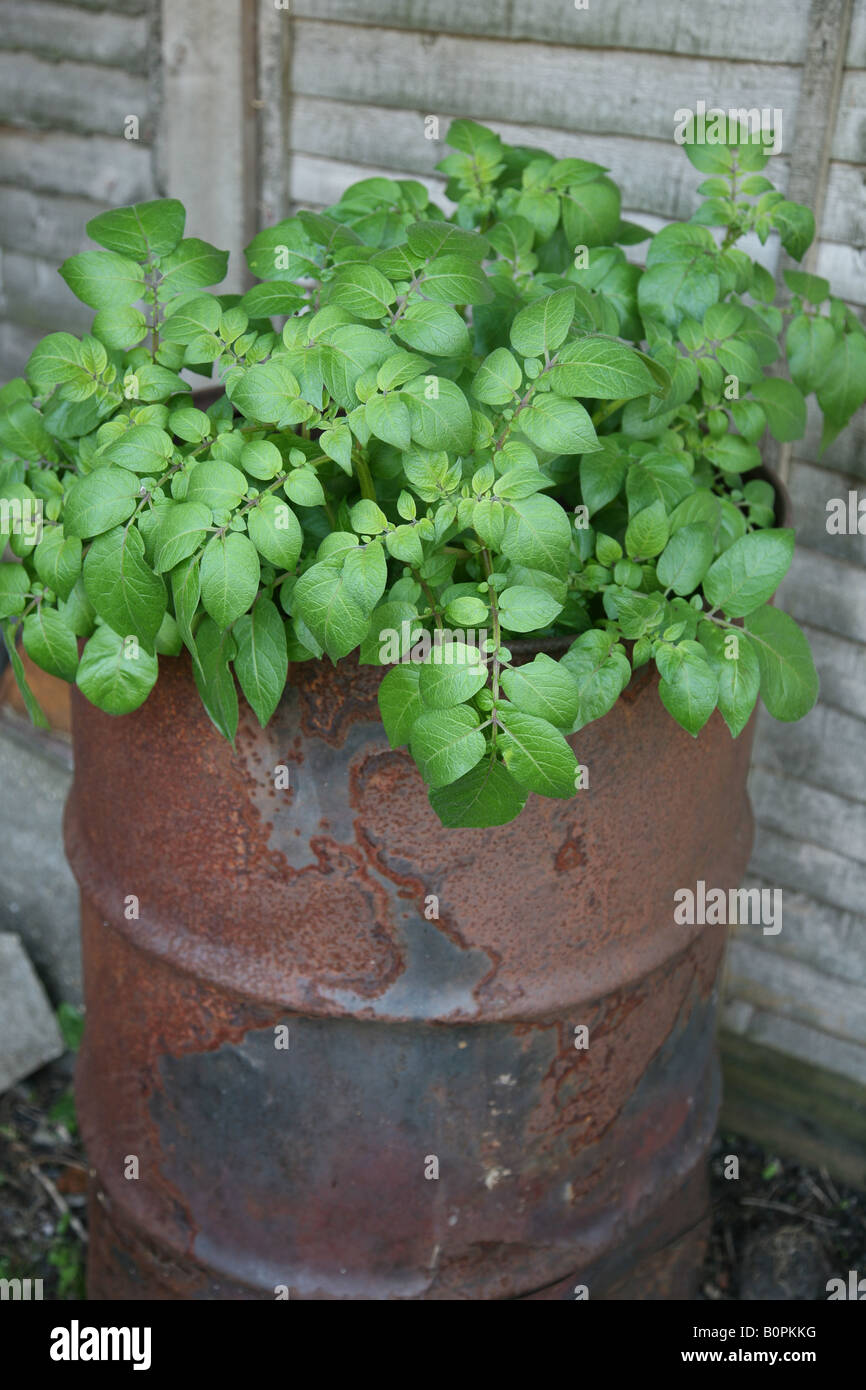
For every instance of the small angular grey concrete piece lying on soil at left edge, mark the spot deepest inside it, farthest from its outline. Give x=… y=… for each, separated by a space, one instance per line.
x=30 y=1036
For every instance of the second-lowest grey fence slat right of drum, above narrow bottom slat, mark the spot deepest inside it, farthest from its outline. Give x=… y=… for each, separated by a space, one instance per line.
x=796 y=992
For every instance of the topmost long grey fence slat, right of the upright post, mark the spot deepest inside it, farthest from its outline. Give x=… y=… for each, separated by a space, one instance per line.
x=739 y=30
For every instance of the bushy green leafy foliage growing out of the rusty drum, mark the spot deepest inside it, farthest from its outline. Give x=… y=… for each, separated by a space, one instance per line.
x=433 y=436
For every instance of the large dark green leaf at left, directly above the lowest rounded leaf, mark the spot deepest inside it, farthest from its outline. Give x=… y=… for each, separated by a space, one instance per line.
x=122 y=586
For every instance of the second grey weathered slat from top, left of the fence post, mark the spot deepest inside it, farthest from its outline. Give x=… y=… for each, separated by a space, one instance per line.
x=72 y=97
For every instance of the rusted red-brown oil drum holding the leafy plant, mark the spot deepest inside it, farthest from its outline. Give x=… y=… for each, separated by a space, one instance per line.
x=226 y=918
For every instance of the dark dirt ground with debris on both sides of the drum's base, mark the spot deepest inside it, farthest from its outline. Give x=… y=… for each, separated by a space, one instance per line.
x=781 y=1231
